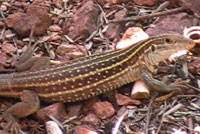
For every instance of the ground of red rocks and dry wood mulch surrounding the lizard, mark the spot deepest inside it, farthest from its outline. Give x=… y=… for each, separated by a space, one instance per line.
x=64 y=30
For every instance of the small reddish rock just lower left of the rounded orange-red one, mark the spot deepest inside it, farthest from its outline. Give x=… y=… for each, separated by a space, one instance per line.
x=91 y=119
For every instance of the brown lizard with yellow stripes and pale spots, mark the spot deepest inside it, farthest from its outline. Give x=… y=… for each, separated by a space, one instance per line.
x=90 y=76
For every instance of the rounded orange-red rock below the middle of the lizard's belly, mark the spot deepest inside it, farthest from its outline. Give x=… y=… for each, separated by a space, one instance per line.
x=103 y=109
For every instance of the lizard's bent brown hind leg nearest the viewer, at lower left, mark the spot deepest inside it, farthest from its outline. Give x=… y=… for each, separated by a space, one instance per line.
x=30 y=104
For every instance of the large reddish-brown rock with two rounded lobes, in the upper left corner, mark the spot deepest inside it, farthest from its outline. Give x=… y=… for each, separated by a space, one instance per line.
x=36 y=16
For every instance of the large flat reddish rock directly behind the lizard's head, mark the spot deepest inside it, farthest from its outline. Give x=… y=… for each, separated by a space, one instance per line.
x=169 y=24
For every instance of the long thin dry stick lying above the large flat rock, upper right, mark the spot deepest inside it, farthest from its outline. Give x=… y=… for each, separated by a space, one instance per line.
x=137 y=18
